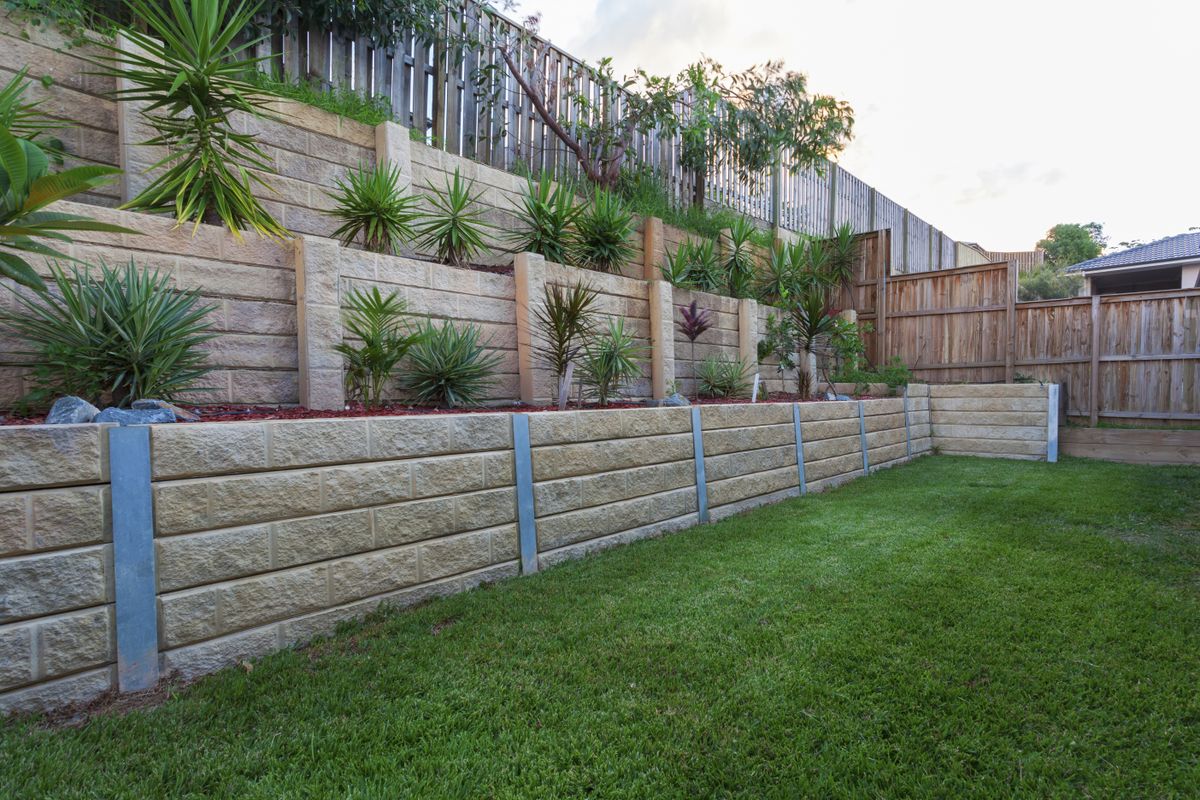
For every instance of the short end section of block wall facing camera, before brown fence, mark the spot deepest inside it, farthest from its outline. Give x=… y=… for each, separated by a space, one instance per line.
x=999 y=420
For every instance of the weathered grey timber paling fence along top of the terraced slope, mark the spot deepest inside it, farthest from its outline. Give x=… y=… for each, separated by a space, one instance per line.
x=465 y=101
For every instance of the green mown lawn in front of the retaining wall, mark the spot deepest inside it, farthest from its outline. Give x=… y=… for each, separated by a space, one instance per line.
x=947 y=629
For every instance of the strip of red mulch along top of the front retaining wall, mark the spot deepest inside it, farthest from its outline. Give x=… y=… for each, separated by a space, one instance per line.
x=242 y=413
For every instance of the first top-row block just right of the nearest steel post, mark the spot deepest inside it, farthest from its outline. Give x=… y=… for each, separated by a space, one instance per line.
x=208 y=449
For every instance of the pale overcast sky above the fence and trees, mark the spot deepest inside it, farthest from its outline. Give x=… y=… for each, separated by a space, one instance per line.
x=992 y=122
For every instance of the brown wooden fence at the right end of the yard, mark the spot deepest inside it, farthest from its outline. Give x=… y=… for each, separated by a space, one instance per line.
x=1120 y=358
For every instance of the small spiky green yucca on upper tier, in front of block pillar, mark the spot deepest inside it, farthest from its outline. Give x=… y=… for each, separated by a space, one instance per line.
x=370 y=206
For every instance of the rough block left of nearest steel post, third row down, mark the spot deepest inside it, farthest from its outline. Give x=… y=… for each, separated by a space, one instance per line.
x=35 y=586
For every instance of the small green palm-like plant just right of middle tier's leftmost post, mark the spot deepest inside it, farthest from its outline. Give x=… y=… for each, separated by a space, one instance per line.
x=385 y=339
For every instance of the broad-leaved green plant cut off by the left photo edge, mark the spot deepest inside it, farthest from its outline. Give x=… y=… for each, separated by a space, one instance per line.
x=26 y=190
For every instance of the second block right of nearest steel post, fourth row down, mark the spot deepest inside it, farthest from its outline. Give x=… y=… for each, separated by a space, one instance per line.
x=274 y=597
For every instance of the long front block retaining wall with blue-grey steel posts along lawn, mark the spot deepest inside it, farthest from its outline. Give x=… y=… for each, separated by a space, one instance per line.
x=239 y=539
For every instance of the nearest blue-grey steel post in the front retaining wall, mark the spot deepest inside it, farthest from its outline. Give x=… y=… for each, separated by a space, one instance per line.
x=134 y=558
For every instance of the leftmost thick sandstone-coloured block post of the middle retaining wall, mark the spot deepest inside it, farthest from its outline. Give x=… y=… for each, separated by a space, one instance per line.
x=320 y=323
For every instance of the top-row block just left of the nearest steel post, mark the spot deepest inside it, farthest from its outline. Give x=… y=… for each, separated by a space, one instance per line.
x=51 y=455
